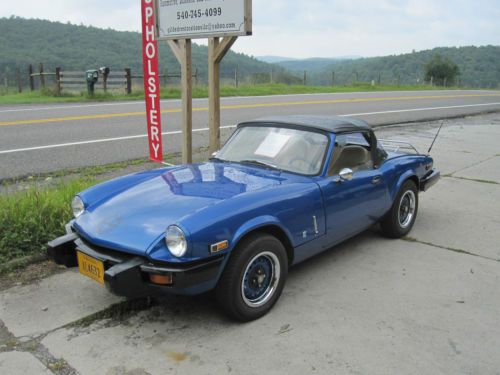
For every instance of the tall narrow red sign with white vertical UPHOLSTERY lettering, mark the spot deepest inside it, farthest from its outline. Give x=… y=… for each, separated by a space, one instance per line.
x=151 y=81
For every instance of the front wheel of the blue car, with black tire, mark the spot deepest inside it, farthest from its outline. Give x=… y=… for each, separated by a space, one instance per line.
x=257 y=256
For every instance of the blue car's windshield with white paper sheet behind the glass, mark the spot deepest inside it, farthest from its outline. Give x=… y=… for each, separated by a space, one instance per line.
x=291 y=150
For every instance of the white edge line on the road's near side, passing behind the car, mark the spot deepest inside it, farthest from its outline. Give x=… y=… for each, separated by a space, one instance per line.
x=229 y=127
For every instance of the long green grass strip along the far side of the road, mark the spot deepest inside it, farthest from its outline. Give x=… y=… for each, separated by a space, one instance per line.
x=199 y=91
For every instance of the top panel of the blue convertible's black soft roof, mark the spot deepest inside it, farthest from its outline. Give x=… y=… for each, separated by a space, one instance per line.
x=334 y=124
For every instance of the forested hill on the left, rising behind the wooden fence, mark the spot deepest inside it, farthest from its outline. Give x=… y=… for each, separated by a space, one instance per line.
x=73 y=47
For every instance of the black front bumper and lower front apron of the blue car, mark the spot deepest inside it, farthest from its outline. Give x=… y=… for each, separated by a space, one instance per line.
x=129 y=276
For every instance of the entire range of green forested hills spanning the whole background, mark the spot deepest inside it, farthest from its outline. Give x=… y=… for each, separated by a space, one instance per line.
x=73 y=47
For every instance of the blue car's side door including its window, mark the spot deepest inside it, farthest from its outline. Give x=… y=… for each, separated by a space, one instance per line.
x=353 y=205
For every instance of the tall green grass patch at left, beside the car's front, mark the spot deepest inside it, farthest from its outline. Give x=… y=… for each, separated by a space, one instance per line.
x=31 y=218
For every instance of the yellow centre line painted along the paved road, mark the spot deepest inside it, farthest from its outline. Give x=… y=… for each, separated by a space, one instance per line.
x=230 y=98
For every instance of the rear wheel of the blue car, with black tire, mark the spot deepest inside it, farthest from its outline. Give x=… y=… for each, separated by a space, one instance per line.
x=400 y=219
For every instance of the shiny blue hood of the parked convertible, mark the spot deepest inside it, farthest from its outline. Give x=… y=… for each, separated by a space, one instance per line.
x=133 y=218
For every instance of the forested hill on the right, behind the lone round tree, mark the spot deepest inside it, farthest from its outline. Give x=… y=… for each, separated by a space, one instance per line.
x=479 y=67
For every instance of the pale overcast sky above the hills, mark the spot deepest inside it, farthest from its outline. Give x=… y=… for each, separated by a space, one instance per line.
x=311 y=28
